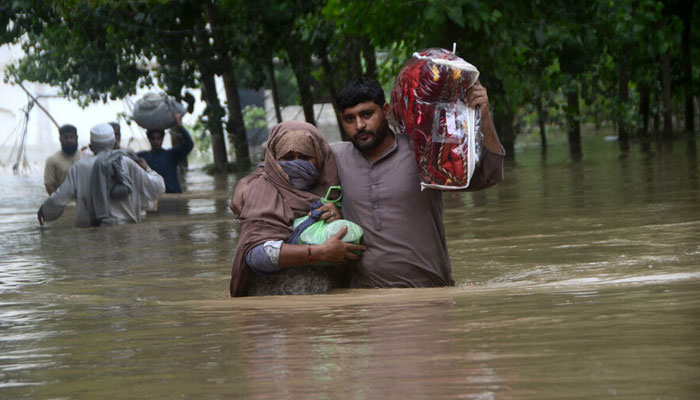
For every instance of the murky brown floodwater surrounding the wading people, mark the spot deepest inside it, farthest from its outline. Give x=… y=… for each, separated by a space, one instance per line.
x=575 y=280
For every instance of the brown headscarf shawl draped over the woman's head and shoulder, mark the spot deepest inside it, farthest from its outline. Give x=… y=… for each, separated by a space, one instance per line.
x=266 y=203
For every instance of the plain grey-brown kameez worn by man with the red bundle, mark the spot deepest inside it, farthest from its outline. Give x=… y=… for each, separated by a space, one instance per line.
x=403 y=227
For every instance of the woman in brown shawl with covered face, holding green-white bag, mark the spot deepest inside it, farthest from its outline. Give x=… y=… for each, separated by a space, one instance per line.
x=299 y=168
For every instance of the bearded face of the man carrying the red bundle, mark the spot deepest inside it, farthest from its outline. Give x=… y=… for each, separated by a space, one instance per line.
x=366 y=124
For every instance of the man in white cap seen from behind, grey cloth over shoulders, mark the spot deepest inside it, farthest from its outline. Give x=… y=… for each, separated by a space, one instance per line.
x=109 y=185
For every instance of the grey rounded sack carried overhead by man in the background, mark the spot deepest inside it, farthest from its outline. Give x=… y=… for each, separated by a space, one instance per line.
x=154 y=111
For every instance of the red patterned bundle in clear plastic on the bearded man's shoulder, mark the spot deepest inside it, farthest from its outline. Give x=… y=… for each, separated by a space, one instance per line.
x=427 y=103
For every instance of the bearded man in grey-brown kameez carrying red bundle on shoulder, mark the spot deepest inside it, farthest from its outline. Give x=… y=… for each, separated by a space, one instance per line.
x=403 y=227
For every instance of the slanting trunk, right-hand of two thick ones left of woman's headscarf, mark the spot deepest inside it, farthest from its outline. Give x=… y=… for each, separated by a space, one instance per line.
x=235 y=126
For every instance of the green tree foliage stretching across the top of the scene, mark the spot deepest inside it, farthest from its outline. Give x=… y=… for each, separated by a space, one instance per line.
x=528 y=53
